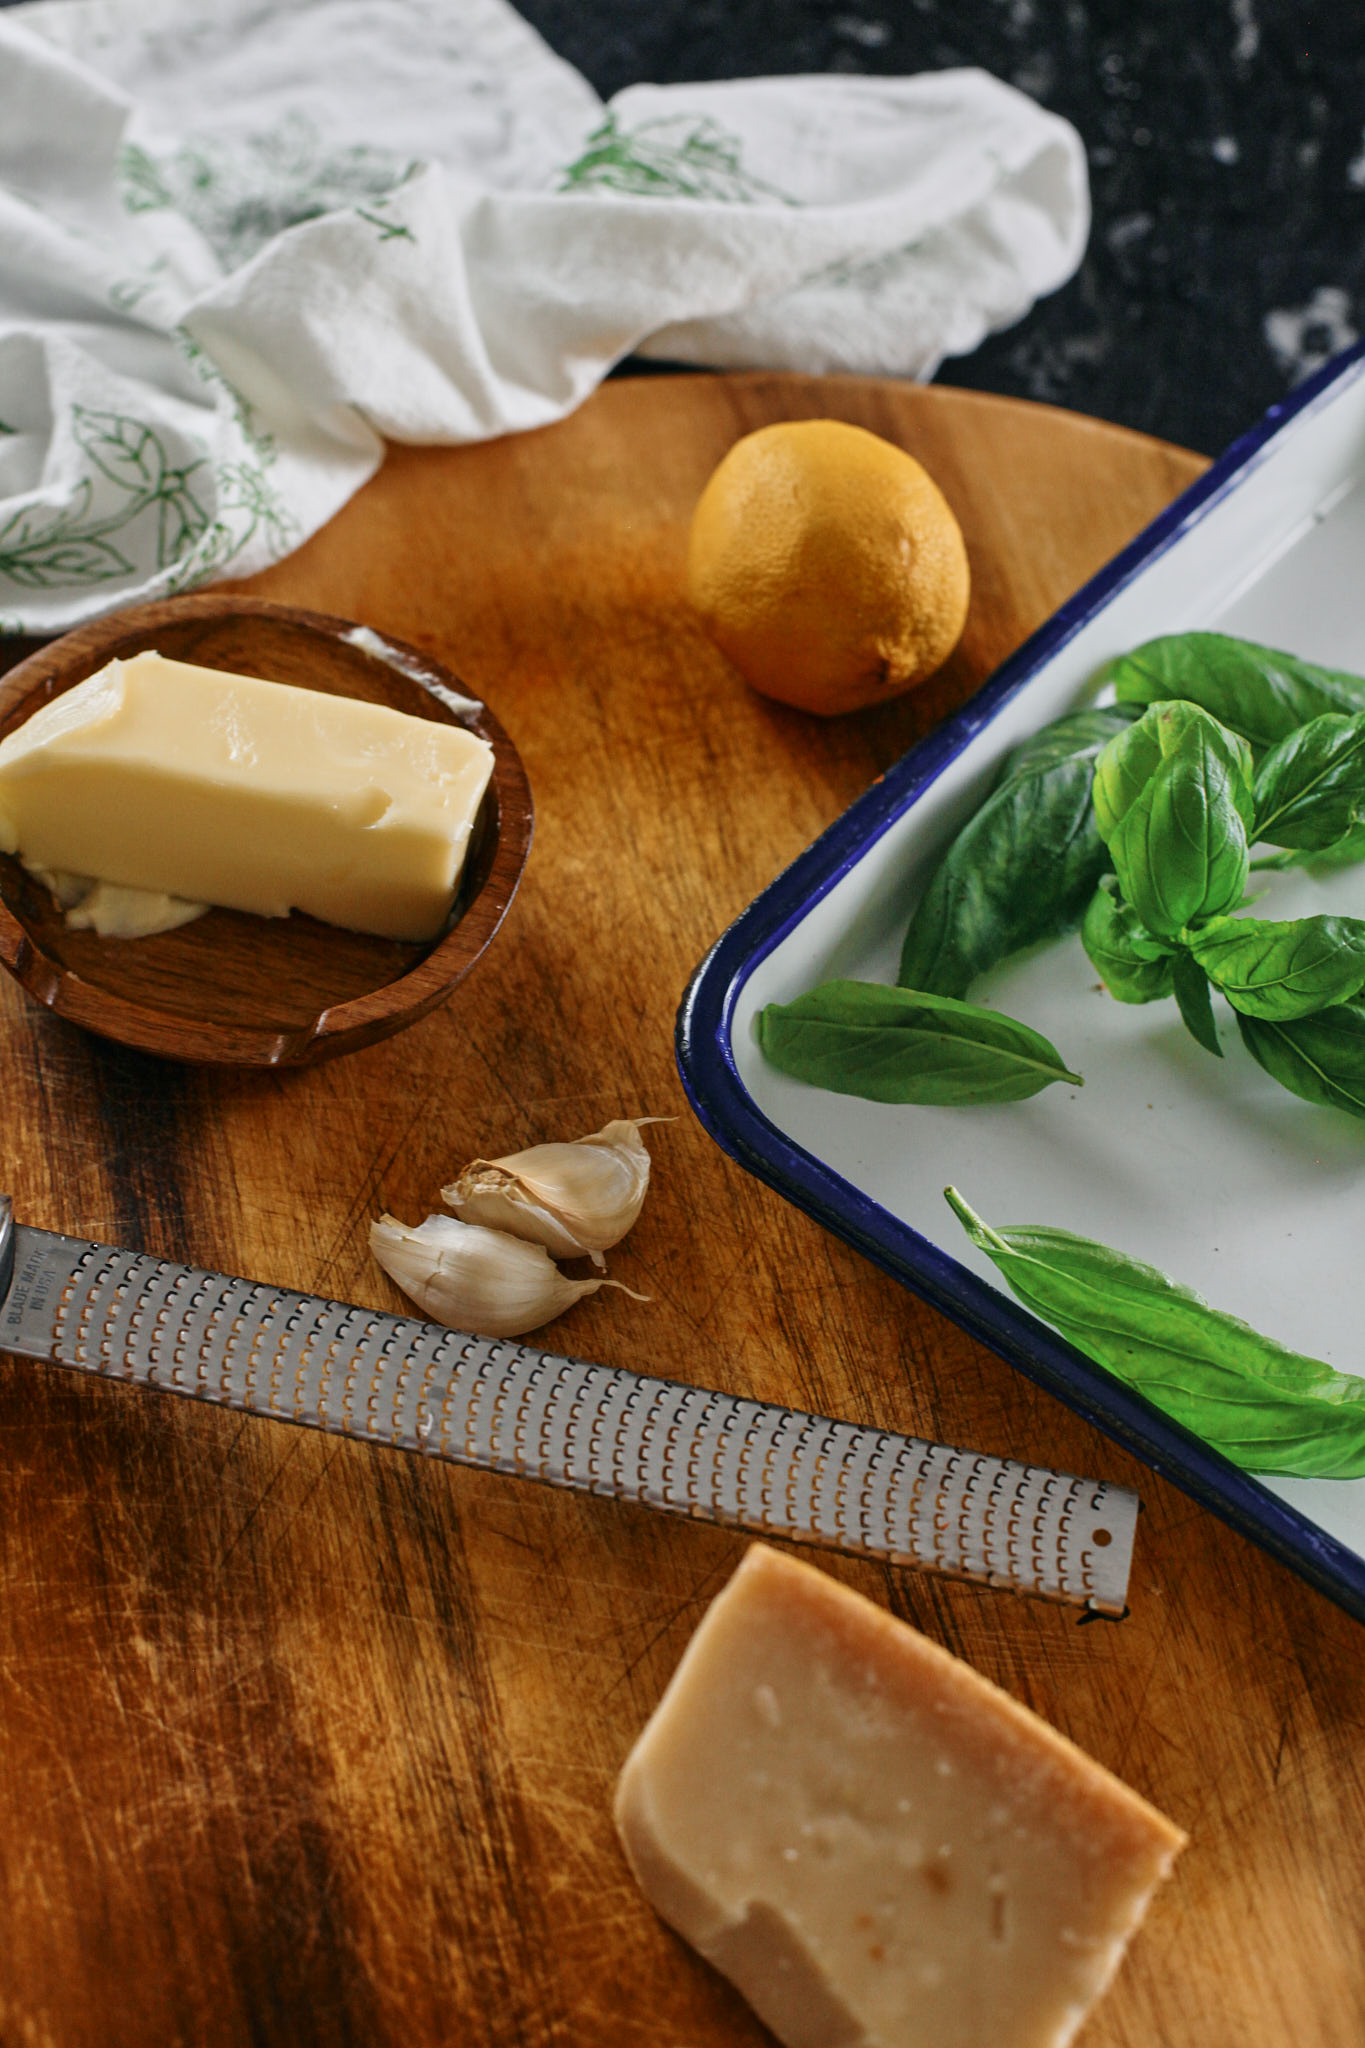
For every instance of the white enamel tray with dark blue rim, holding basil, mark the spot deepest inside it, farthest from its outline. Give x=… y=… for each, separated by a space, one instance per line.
x=1206 y=1170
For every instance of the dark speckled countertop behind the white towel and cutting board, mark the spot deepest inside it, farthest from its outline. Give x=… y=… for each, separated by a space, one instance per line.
x=1227 y=144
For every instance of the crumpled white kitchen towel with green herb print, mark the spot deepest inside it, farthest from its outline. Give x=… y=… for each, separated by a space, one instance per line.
x=245 y=243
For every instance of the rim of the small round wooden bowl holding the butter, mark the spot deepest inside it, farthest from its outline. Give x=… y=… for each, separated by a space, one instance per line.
x=343 y=1027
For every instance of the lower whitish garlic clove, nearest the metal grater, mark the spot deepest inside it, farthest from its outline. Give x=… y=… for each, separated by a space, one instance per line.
x=478 y=1279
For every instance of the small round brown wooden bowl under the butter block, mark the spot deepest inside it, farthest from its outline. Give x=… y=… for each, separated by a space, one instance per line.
x=261 y=992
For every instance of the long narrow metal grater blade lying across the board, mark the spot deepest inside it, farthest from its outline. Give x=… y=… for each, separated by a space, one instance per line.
x=513 y=1408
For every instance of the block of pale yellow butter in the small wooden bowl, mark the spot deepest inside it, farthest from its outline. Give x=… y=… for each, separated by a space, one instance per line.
x=255 y=796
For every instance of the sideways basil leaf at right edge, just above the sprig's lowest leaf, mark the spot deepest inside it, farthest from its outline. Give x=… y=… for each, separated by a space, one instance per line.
x=1282 y=972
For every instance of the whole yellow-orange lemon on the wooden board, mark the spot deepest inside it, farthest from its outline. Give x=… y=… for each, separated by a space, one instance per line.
x=828 y=566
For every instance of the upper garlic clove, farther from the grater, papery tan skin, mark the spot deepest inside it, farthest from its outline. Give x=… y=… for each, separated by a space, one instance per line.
x=574 y=1199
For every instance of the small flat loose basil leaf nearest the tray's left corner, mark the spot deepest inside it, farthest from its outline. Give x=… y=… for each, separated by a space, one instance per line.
x=908 y=1046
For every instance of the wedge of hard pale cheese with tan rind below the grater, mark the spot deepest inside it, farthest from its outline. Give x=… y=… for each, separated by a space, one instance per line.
x=873 y=1842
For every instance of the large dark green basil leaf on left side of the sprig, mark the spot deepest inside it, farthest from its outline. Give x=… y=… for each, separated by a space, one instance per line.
x=1024 y=867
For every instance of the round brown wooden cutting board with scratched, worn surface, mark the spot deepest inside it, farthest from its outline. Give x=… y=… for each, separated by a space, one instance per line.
x=312 y=1744
